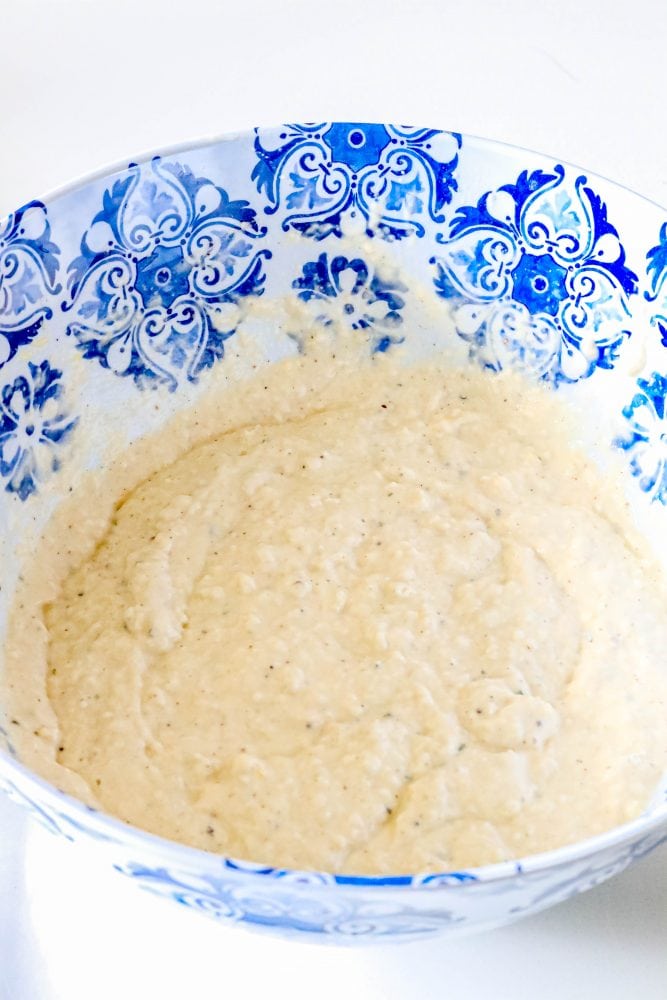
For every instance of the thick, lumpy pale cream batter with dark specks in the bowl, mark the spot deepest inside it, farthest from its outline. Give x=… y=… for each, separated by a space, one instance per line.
x=400 y=625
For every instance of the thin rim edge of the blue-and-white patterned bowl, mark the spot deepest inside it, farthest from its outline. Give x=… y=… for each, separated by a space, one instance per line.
x=113 y=830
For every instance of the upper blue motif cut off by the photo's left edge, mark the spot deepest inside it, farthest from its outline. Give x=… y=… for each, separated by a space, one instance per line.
x=28 y=269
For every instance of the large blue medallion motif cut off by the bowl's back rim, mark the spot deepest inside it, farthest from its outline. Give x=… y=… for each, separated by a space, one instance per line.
x=384 y=179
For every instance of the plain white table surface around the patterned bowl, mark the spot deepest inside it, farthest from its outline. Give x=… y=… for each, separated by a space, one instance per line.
x=87 y=82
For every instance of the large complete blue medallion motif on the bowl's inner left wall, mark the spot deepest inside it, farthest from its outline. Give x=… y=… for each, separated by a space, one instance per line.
x=162 y=267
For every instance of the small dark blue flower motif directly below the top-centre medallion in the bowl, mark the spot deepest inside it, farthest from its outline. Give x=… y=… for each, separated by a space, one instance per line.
x=349 y=293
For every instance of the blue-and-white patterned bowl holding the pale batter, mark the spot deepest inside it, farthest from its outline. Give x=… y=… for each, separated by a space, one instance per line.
x=123 y=290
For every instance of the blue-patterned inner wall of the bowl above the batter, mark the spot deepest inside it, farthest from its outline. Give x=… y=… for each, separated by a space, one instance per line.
x=121 y=297
